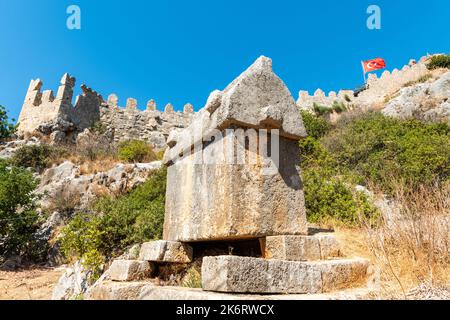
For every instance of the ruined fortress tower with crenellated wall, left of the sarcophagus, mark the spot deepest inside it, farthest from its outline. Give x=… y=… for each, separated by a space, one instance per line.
x=60 y=118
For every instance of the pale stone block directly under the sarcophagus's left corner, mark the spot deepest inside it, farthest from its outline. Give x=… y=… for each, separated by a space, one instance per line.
x=166 y=251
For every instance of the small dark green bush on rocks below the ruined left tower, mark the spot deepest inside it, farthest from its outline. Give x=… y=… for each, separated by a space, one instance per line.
x=33 y=156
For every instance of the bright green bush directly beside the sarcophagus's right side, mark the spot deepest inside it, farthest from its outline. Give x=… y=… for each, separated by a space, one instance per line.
x=329 y=190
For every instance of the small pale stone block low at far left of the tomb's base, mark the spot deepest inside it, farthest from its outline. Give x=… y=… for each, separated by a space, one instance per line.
x=130 y=270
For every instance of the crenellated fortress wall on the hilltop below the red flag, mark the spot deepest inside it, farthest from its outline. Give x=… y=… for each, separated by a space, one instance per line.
x=378 y=88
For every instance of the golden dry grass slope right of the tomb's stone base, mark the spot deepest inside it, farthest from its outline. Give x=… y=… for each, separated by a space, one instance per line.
x=409 y=250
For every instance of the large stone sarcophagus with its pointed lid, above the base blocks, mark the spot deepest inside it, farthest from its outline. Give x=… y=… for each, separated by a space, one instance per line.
x=248 y=194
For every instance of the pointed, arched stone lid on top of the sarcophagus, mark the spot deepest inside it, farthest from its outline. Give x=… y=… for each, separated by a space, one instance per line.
x=257 y=98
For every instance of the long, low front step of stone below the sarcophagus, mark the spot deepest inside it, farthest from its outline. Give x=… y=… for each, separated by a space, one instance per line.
x=255 y=275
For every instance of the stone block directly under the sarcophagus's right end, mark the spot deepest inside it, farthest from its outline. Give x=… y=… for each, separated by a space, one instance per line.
x=301 y=248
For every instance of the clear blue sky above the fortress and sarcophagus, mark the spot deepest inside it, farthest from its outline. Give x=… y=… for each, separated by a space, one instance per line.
x=179 y=51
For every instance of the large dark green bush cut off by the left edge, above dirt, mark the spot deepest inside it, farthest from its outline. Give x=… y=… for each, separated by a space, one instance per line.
x=19 y=219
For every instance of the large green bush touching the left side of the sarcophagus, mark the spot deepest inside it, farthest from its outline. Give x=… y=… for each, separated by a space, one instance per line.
x=118 y=223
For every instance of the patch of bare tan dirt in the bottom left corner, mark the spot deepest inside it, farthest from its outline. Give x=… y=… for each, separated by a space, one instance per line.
x=29 y=284
